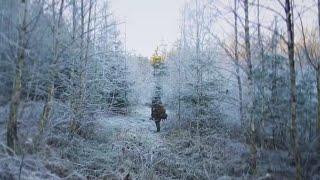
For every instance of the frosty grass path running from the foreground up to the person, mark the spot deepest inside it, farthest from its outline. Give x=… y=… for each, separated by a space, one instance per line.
x=140 y=150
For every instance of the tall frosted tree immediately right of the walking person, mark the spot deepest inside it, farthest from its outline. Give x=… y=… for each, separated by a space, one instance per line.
x=192 y=69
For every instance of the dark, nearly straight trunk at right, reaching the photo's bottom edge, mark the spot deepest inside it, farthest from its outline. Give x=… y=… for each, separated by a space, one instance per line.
x=293 y=89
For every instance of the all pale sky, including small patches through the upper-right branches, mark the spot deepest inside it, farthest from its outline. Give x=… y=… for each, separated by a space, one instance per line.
x=150 y=23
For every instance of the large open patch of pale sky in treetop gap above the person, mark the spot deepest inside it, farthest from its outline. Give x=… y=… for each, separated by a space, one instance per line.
x=149 y=23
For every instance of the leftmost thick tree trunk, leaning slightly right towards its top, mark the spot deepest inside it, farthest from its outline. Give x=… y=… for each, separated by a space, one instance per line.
x=12 y=134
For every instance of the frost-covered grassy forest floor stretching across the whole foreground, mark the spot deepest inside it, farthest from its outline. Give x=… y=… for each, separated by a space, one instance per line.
x=128 y=145
